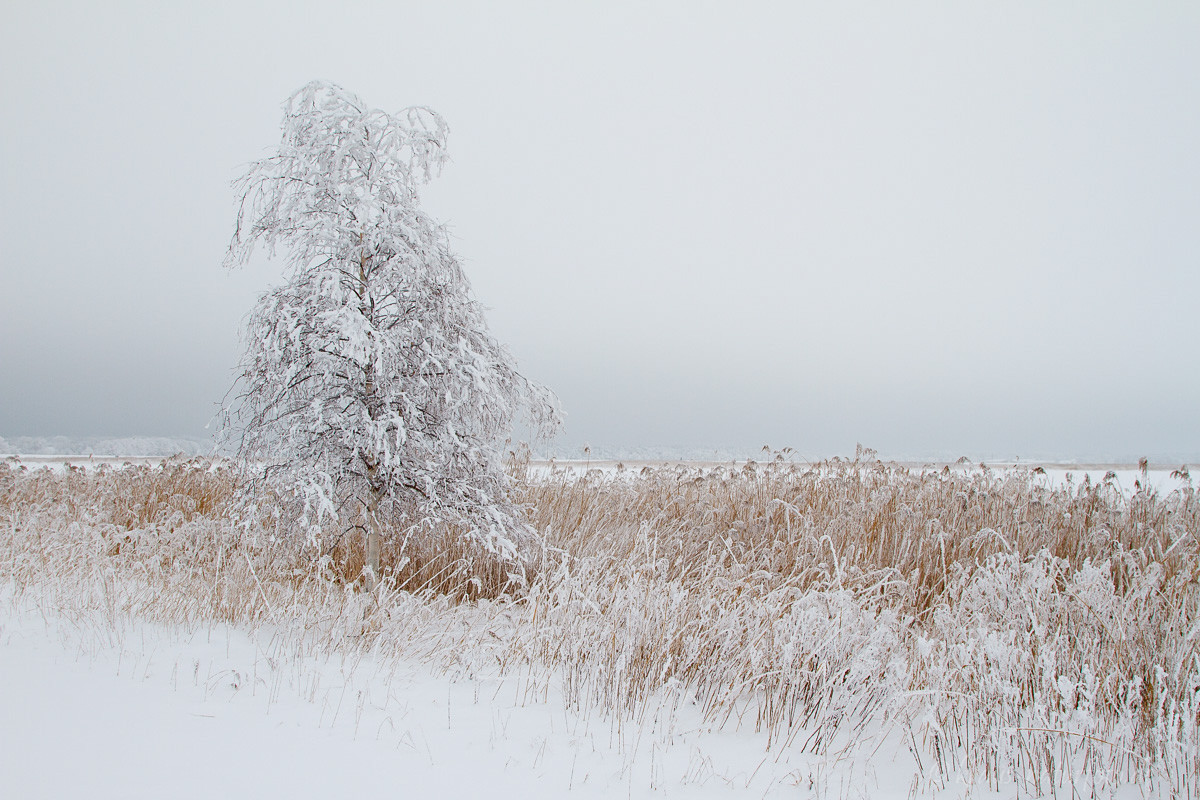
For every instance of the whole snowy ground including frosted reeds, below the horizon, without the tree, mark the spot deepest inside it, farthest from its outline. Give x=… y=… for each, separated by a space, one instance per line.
x=849 y=628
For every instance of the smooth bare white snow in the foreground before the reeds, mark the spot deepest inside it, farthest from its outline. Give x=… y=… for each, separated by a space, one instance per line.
x=153 y=713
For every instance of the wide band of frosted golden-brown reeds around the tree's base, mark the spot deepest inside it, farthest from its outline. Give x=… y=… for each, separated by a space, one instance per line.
x=995 y=629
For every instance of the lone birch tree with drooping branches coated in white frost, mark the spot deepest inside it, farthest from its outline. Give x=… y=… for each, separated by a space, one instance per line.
x=371 y=389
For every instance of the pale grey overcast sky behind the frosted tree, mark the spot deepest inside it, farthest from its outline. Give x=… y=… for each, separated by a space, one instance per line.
x=945 y=228
